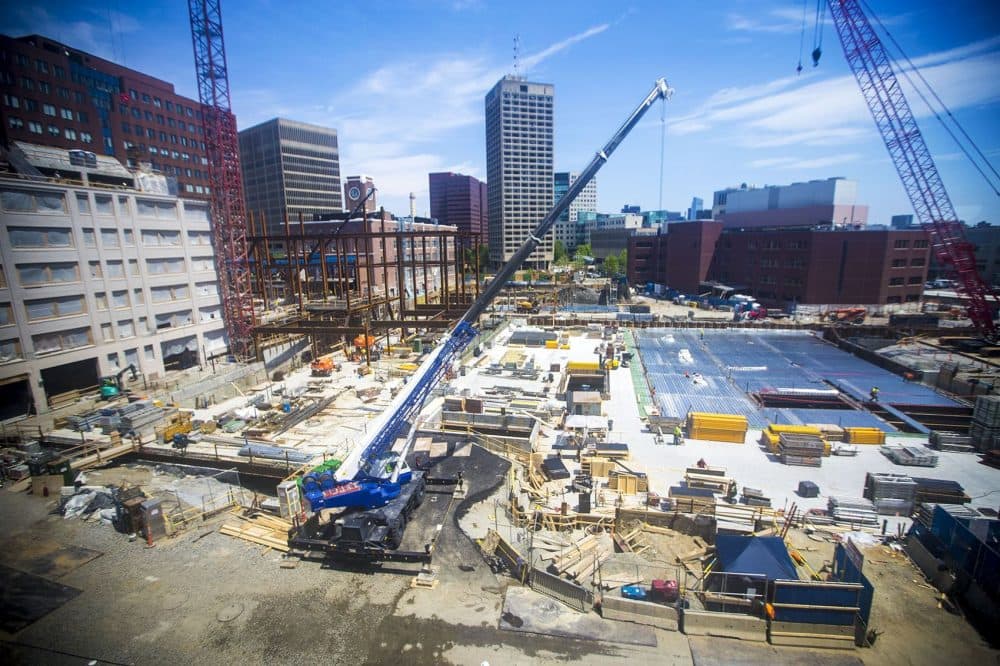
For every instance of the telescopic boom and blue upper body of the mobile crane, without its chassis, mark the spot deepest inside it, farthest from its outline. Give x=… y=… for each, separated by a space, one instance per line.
x=363 y=478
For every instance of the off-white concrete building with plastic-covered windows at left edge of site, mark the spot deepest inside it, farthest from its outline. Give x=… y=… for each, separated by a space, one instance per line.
x=93 y=280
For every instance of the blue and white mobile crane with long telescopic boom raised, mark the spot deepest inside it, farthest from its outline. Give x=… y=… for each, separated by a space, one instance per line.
x=374 y=484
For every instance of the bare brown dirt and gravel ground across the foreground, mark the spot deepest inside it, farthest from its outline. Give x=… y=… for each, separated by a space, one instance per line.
x=206 y=598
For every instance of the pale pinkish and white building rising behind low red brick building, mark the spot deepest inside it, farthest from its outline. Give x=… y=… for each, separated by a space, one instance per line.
x=830 y=202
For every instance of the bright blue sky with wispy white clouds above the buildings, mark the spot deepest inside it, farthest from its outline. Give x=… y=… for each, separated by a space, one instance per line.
x=403 y=83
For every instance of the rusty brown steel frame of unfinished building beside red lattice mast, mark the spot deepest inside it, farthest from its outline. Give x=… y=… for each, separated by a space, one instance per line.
x=355 y=279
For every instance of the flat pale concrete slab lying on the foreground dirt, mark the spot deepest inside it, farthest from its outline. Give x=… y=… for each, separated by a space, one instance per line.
x=530 y=612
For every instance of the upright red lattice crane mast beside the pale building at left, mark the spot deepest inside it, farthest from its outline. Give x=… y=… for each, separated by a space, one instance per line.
x=229 y=220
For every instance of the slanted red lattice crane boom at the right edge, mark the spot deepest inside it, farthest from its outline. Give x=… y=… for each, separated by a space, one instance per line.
x=872 y=68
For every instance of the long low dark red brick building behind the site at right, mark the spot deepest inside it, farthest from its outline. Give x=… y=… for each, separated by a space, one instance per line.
x=779 y=267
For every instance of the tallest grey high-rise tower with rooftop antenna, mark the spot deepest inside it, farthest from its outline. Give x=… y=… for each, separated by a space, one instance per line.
x=519 y=156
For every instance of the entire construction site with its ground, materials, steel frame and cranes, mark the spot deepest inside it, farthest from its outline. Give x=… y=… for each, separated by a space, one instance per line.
x=406 y=458
